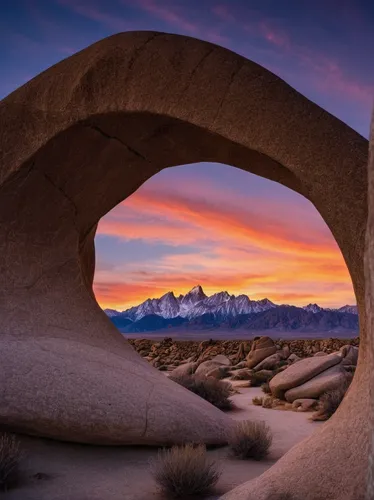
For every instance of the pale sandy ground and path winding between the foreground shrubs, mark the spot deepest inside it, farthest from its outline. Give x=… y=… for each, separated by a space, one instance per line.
x=67 y=471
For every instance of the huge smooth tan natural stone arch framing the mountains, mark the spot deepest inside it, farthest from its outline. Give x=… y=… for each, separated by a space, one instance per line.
x=81 y=137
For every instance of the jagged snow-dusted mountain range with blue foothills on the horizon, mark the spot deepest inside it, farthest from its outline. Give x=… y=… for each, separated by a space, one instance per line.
x=197 y=311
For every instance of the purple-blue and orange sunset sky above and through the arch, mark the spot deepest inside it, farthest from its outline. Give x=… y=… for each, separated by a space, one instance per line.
x=213 y=224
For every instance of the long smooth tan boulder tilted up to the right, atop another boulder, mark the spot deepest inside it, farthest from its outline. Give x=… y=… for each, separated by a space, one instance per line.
x=300 y=372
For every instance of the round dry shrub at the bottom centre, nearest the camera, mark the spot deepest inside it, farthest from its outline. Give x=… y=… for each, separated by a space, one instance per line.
x=185 y=471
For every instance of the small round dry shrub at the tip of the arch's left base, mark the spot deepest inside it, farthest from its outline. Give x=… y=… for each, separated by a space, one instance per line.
x=250 y=440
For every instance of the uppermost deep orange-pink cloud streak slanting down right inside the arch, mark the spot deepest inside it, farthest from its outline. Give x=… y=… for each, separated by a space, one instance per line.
x=225 y=222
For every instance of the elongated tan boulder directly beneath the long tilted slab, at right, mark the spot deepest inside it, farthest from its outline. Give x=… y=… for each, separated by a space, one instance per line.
x=328 y=380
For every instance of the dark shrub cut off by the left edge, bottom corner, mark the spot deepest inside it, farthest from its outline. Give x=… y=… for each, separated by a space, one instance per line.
x=10 y=457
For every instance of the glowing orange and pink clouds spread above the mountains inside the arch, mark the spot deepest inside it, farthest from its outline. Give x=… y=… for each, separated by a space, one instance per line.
x=255 y=252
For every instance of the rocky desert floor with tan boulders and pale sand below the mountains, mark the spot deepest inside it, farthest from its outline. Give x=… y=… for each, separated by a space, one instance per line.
x=291 y=386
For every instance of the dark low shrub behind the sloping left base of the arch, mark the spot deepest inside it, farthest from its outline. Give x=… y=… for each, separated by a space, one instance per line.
x=216 y=392
